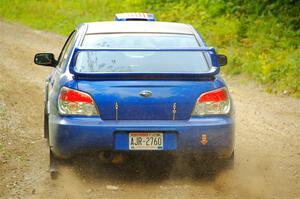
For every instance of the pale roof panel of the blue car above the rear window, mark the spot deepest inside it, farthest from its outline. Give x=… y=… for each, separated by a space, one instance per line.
x=138 y=26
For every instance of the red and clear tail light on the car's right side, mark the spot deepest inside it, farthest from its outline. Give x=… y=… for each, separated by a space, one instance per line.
x=212 y=102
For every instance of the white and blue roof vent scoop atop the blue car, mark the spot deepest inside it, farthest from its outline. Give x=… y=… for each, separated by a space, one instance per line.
x=134 y=16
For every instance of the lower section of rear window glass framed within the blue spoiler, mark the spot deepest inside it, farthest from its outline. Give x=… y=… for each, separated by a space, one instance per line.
x=141 y=62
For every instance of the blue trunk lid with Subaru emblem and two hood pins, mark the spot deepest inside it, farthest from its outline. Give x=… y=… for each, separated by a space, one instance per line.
x=125 y=100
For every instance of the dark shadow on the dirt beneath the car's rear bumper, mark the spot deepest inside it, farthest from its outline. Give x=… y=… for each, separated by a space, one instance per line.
x=145 y=169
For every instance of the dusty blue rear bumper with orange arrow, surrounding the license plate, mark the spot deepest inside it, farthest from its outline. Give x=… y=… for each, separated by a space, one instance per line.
x=71 y=135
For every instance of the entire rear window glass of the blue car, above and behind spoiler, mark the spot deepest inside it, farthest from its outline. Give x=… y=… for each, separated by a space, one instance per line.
x=140 y=54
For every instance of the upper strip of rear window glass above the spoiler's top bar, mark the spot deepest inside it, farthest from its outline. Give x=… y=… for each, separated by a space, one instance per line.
x=141 y=40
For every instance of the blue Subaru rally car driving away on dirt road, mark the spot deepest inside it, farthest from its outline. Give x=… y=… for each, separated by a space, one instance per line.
x=136 y=85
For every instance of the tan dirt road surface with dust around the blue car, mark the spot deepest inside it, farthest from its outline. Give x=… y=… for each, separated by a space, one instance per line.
x=267 y=152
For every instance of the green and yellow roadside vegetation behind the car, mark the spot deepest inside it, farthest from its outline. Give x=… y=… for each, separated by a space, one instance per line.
x=261 y=38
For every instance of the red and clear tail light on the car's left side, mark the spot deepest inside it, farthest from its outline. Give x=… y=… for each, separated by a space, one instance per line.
x=74 y=102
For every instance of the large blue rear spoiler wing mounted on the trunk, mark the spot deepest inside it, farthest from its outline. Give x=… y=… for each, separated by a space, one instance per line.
x=214 y=70
